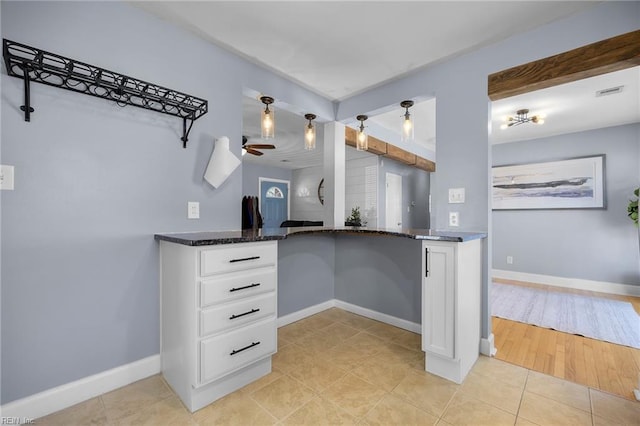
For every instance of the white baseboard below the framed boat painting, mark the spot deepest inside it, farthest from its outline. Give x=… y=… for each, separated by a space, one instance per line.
x=574 y=283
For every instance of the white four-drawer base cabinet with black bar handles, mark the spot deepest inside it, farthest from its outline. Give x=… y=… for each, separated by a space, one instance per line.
x=218 y=317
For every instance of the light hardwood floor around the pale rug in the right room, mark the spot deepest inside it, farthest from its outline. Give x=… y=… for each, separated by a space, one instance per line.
x=594 y=363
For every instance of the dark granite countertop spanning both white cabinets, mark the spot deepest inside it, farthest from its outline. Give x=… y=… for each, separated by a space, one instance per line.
x=207 y=238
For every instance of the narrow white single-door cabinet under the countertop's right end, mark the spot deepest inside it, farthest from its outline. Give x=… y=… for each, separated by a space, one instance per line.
x=451 y=299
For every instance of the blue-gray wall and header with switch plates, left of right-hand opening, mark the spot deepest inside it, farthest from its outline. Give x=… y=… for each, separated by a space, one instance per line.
x=463 y=111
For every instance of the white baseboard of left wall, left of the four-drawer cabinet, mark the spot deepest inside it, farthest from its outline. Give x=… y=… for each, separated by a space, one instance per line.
x=58 y=398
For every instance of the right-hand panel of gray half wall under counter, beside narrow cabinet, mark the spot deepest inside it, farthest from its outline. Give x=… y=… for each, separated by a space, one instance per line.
x=380 y=273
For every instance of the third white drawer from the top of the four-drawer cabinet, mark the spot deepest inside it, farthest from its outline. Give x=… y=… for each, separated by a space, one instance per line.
x=235 y=314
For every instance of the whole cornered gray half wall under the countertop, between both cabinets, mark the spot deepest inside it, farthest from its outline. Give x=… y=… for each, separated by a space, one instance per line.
x=375 y=272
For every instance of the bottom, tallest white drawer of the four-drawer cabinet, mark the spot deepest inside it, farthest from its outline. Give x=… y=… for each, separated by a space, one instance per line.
x=225 y=353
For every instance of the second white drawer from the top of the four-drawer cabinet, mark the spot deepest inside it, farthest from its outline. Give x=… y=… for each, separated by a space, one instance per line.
x=237 y=285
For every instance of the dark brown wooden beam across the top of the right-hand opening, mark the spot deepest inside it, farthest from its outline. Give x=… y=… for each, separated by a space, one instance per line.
x=598 y=58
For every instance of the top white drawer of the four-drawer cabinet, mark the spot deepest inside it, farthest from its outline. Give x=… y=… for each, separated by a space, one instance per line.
x=236 y=257
